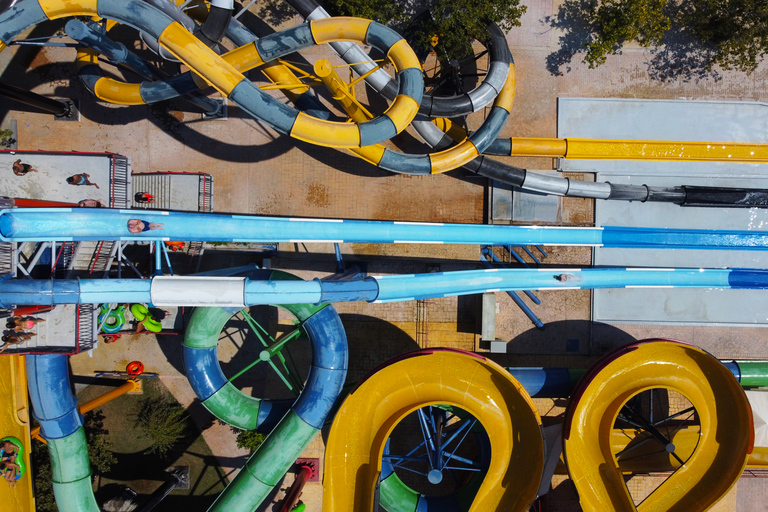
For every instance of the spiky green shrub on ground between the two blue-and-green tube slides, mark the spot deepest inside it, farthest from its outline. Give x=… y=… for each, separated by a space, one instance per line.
x=164 y=422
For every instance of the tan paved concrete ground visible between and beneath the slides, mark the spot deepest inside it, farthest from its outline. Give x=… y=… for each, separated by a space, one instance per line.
x=261 y=172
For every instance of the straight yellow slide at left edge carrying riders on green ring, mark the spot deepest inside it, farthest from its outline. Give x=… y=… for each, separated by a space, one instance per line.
x=14 y=421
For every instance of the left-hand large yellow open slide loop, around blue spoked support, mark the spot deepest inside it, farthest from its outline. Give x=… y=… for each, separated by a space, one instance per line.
x=429 y=377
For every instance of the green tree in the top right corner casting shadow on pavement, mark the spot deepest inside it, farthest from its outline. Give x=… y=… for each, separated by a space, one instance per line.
x=731 y=33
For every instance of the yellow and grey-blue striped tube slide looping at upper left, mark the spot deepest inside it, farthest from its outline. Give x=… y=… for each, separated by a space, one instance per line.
x=228 y=78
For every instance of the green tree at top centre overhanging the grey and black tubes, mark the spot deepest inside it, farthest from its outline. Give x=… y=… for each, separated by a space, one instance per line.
x=449 y=26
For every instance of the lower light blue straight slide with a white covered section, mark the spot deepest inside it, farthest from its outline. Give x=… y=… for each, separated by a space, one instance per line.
x=240 y=291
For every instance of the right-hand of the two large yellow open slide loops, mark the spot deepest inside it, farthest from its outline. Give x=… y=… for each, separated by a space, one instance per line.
x=723 y=411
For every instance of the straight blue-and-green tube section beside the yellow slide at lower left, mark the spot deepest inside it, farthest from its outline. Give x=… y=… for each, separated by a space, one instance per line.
x=55 y=407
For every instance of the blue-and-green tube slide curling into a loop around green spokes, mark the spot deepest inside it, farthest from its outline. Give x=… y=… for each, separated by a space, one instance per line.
x=296 y=429
